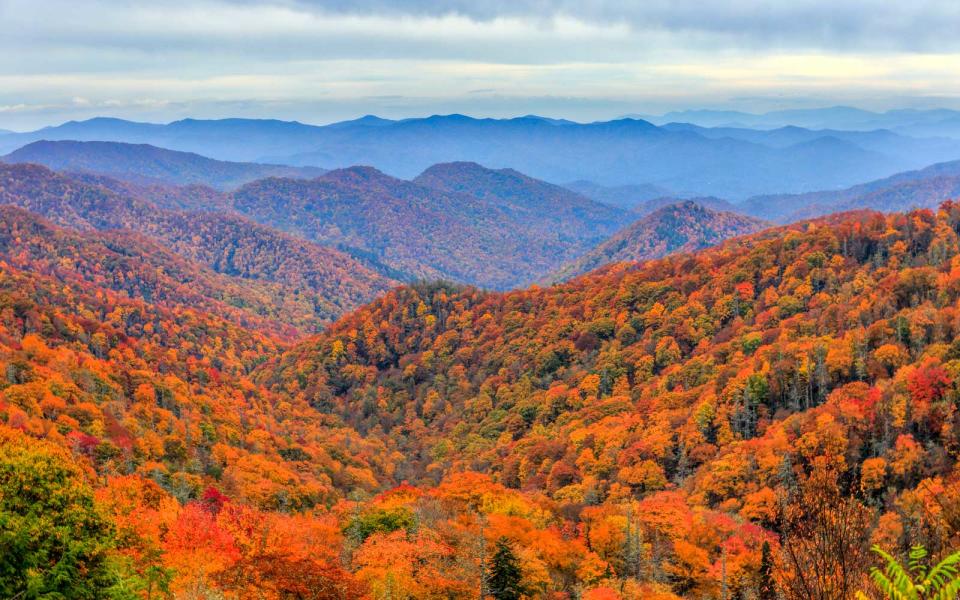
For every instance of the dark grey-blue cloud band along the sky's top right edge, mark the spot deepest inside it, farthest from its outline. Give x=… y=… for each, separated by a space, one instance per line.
x=919 y=25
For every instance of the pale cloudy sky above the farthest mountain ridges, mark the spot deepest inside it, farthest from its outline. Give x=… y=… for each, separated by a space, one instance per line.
x=319 y=61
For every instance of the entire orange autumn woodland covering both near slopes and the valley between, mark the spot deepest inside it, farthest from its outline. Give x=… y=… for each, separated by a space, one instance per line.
x=740 y=422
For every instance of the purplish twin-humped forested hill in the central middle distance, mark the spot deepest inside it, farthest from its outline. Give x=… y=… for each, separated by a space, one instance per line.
x=415 y=231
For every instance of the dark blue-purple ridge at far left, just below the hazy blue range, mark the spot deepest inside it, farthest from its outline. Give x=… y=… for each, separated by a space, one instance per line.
x=142 y=163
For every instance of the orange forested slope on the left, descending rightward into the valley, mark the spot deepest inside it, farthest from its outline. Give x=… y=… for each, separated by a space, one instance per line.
x=123 y=353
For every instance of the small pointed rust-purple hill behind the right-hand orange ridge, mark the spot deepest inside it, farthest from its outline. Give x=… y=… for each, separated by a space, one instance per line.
x=682 y=227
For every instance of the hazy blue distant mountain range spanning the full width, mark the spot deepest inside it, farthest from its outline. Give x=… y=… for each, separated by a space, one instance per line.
x=687 y=161
